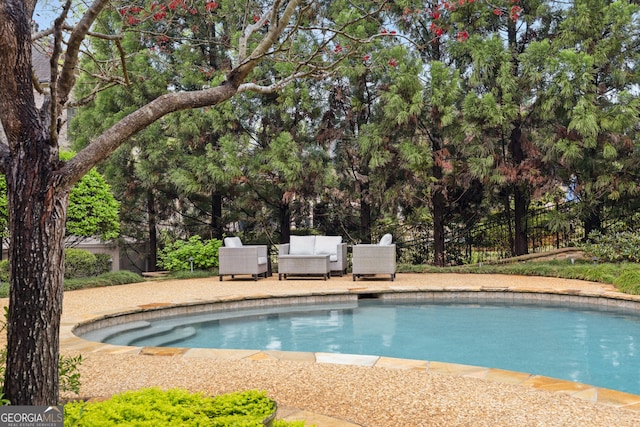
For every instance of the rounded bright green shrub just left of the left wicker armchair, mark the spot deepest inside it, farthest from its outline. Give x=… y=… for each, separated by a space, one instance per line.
x=178 y=255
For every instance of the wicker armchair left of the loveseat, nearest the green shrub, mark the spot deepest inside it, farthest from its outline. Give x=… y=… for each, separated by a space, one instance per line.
x=236 y=258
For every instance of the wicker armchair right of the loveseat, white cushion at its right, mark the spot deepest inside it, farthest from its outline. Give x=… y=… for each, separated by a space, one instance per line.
x=371 y=259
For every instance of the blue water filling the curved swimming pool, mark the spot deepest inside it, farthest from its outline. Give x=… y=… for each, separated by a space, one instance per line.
x=586 y=345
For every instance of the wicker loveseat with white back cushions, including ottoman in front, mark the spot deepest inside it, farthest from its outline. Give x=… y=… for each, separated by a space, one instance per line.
x=312 y=255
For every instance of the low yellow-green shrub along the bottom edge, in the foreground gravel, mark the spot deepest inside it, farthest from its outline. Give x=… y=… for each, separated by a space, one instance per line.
x=154 y=407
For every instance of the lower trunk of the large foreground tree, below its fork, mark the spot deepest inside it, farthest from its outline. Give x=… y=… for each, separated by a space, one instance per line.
x=36 y=259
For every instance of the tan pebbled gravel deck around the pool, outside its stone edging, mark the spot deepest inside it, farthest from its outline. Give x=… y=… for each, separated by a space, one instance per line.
x=368 y=396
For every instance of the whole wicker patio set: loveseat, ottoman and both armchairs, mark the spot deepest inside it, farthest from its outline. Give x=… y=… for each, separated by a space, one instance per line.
x=308 y=256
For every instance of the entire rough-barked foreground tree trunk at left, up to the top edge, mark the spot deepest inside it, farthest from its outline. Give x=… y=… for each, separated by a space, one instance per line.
x=37 y=214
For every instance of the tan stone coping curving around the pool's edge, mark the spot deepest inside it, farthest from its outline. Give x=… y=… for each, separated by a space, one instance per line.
x=70 y=342
